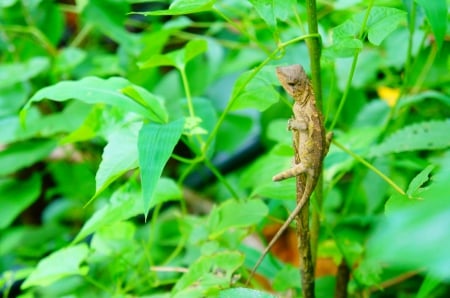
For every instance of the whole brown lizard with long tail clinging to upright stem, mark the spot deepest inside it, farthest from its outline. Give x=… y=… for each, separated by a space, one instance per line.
x=310 y=143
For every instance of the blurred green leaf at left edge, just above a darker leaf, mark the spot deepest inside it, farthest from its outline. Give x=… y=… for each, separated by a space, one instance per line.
x=21 y=155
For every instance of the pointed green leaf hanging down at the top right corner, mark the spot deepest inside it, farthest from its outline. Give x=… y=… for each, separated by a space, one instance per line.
x=436 y=12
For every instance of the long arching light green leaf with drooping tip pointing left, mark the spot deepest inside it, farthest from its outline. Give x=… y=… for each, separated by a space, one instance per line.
x=91 y=90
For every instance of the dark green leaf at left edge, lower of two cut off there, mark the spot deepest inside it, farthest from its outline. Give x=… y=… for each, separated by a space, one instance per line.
x=16 y=196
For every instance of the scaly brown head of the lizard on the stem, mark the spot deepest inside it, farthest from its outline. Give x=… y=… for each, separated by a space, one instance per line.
x=293 y=79
